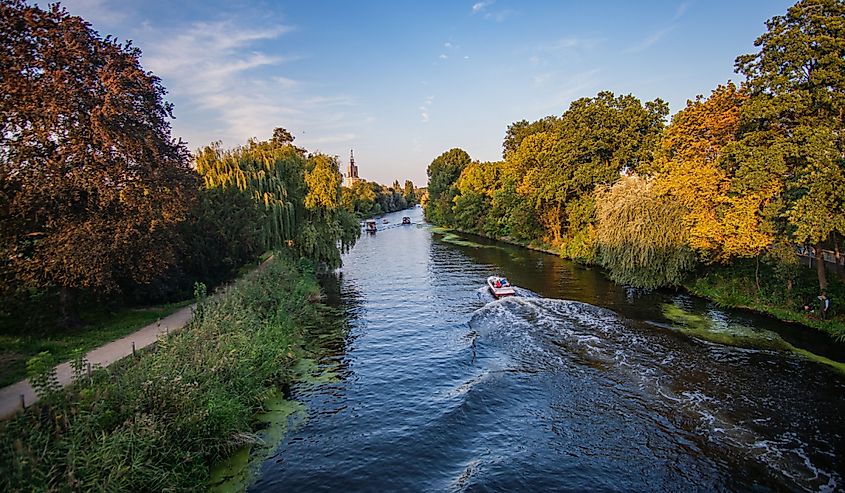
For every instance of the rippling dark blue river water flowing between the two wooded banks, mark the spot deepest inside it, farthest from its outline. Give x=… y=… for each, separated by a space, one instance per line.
x=578 y=385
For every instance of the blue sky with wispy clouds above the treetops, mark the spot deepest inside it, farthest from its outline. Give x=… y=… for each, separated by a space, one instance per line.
x=400 y=82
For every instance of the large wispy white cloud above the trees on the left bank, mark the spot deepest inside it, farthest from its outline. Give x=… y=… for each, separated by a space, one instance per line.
x=218 y=69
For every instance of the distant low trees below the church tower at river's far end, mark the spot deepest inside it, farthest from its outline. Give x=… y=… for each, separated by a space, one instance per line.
x=367 y=198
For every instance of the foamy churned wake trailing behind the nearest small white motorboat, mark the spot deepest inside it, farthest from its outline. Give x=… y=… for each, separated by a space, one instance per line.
x=690 y=384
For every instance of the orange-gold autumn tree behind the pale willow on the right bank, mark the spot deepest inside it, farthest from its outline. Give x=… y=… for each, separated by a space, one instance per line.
x=702 y=169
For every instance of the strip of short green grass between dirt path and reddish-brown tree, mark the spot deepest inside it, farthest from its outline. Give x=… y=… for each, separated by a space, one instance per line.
x=103 y=327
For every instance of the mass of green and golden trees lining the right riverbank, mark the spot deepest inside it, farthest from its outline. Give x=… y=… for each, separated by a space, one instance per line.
x=716 y=201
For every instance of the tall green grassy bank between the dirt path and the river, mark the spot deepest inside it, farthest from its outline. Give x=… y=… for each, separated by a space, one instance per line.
x=157 y=422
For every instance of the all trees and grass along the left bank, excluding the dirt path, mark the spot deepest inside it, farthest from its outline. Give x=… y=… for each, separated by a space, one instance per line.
x=90 y=175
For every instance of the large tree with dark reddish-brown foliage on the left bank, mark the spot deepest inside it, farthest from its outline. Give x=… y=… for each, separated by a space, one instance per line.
x=91 y=182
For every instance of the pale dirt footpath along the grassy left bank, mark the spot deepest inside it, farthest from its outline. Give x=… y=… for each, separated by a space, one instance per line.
x=10 y=396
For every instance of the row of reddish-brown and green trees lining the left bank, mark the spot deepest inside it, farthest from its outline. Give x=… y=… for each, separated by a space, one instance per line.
x=98 y=201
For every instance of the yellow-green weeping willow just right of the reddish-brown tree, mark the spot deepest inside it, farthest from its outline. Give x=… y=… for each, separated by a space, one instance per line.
x=271 y=173
